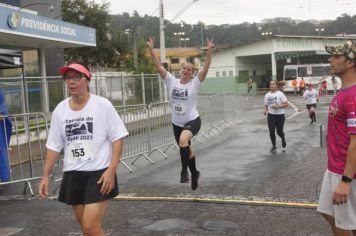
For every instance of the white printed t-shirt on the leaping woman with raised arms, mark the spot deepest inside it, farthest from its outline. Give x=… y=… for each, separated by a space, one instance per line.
x=183 y=99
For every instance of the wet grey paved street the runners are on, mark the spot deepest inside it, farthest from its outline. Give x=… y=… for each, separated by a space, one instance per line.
x=244 y=189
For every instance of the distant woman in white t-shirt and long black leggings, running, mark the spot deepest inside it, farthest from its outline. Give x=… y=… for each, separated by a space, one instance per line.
x=275 y=102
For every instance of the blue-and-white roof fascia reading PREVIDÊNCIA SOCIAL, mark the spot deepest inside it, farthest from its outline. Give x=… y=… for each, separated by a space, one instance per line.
x=20 y=29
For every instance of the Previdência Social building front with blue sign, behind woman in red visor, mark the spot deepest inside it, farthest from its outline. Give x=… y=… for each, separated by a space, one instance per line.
x=33 y=28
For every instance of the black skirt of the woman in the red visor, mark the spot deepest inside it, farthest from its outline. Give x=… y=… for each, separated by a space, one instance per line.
x=80 y=187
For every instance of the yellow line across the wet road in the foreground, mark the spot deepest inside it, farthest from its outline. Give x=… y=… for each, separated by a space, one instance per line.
x=218 y=200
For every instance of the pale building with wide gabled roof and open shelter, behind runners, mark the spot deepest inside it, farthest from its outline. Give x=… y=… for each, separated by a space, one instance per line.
x=265 y=59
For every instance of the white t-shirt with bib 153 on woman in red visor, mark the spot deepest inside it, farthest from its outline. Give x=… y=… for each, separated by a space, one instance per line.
x=86 y=135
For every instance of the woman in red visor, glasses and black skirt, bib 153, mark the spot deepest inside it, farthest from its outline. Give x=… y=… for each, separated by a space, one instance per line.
x=90 y=131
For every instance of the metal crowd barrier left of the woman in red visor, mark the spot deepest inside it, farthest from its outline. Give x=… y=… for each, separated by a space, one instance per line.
x=25 y=154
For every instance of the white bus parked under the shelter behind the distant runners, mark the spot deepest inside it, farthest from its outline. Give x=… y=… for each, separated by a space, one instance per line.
x=311 y=73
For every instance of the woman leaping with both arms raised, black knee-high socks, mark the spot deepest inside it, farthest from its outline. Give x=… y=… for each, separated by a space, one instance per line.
x=186 y=122
